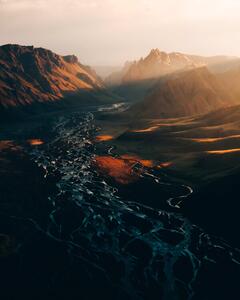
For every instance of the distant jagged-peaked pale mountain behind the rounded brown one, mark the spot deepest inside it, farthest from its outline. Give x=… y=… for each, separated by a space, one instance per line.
x=137 y=77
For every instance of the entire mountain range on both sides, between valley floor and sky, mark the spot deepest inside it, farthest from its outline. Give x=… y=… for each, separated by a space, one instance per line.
x=163 y=84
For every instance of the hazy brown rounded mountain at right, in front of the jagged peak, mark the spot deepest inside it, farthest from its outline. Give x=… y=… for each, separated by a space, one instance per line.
x=188 y=93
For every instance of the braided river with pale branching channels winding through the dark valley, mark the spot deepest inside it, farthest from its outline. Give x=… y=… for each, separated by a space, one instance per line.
x=134 y=250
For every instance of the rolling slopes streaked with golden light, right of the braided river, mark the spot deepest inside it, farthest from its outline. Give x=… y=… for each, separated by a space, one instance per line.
x=199 y=149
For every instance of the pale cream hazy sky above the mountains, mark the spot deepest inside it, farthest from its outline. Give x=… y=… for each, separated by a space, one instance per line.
x=103 y=32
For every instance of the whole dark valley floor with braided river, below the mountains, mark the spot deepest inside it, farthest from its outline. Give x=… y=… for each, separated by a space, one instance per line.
x=84 y=211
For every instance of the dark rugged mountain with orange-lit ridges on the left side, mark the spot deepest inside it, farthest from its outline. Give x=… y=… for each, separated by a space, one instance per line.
x=31 y=75
